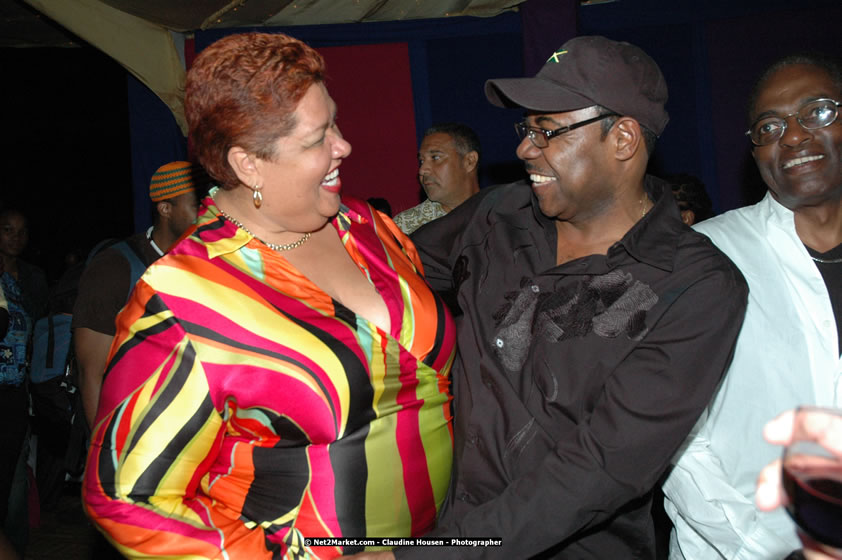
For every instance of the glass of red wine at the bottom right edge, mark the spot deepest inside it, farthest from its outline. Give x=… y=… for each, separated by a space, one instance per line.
x=812 y=478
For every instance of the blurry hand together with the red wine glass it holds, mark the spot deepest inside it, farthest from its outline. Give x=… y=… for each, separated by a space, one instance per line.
x=808 y=480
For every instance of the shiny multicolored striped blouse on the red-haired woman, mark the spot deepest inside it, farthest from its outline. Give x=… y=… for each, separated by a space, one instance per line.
x=244 y=410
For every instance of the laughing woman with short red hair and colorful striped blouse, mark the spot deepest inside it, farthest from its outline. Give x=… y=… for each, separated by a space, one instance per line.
x=283 y=372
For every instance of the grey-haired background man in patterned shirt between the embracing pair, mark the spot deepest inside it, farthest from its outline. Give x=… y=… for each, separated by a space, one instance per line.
x=448 y=170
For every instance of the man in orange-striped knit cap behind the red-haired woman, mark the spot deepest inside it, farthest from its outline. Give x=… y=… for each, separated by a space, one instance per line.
x=108 y=280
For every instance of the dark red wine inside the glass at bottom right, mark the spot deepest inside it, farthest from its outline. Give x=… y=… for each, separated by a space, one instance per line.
x=815 y=499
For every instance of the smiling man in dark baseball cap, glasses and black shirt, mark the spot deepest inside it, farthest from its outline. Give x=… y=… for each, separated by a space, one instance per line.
x=596 y=324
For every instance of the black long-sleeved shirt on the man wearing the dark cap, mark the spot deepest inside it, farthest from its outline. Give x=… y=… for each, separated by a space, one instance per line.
x=577 y=383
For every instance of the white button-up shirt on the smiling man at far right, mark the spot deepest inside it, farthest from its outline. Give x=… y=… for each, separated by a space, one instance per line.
x=786 y=355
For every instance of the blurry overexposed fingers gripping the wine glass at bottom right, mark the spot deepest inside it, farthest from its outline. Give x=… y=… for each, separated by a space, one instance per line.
x=770 y=492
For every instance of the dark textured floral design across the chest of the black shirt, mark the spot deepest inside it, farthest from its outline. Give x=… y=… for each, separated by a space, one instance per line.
x=609 y=305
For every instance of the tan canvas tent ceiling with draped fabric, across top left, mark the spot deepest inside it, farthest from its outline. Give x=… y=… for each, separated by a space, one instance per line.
x=138 y=34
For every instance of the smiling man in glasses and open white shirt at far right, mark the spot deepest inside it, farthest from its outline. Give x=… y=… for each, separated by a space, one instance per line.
x=789 y=248
